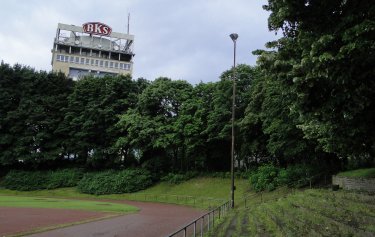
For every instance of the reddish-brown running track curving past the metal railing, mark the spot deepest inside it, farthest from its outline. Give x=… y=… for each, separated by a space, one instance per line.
x=153 y=219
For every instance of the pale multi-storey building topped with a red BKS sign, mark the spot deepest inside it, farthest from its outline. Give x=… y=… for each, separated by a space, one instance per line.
x=91 y=49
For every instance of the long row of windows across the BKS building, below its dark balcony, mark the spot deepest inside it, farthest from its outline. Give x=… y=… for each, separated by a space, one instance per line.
x=93 y=62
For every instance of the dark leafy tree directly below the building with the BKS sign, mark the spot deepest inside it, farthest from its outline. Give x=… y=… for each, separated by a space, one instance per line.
x=94 y=107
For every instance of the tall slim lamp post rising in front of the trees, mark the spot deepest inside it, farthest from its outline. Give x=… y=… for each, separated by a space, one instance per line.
x=234 y=37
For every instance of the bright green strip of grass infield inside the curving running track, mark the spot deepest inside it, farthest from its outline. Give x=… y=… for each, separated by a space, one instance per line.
x=41 y=202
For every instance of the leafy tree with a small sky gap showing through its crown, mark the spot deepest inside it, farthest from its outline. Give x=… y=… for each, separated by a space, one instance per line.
x=152 y=128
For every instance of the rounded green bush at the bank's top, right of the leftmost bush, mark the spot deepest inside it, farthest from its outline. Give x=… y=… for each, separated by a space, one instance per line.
x=111 y=182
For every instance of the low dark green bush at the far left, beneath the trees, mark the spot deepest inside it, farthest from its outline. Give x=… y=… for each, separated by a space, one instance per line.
x=36 y=180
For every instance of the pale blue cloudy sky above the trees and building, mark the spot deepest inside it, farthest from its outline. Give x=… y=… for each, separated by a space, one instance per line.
x=185 y=39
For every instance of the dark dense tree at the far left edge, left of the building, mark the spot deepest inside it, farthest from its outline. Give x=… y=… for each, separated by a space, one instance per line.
x=31 y=111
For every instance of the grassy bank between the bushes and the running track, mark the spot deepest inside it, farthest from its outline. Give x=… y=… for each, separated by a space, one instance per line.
x=200 y=192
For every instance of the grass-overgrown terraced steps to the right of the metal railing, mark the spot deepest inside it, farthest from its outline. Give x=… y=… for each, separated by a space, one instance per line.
x=314 y=212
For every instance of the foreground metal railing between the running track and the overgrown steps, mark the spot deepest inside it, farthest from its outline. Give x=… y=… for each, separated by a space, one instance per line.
x=203 y=224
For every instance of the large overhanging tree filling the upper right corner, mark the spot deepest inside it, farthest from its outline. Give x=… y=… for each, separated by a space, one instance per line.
x=328 y=55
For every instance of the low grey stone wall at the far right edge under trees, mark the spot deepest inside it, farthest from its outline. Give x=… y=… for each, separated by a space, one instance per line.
x=362 y=184
